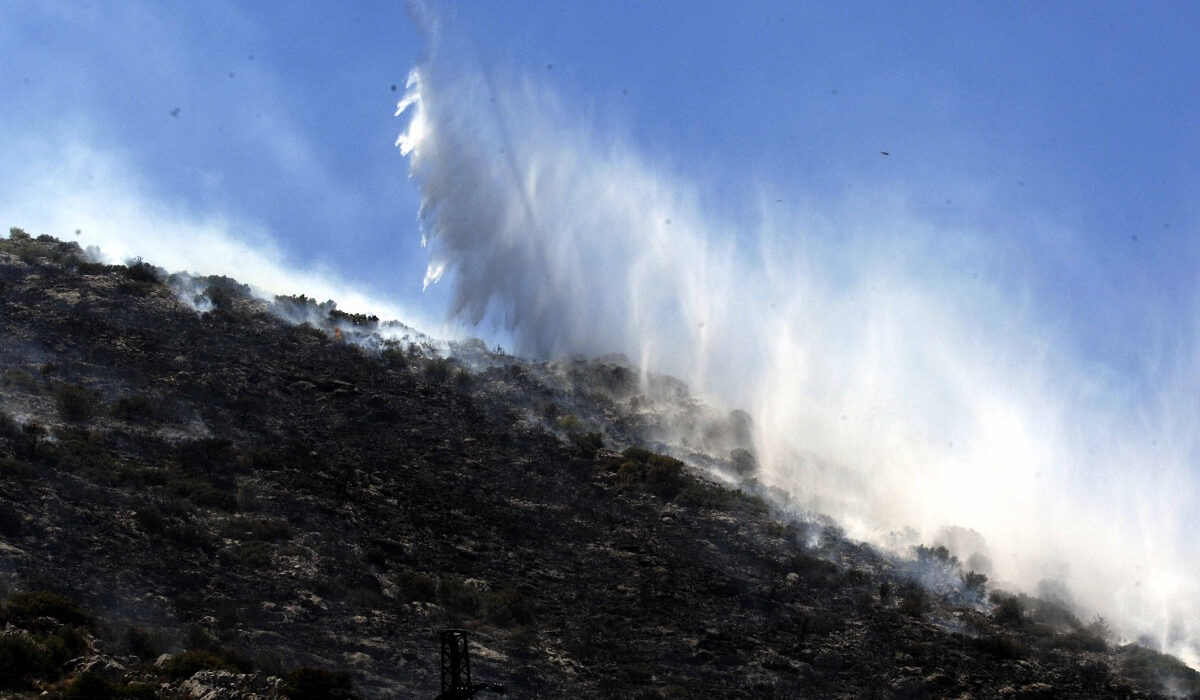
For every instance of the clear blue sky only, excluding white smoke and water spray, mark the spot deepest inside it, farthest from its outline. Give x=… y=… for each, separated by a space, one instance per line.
x=1039 y=122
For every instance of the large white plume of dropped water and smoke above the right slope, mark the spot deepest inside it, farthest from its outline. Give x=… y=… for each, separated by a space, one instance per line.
x=891 y=387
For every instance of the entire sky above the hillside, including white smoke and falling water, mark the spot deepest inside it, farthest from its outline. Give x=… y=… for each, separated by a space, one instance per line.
x=1017 y=277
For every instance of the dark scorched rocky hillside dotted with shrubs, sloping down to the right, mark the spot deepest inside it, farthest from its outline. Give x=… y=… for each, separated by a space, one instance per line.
x=201 y=498
